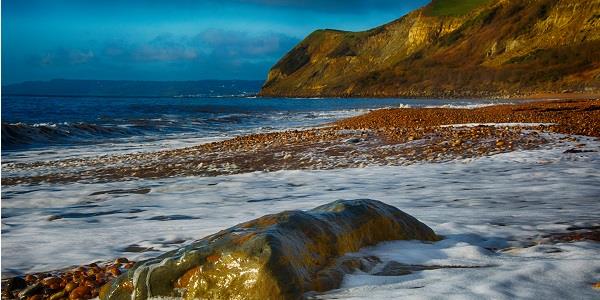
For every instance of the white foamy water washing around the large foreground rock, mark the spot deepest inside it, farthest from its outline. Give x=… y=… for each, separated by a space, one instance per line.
x=479 y=205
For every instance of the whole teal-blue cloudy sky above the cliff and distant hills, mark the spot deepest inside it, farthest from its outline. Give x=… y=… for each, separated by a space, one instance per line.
x=170 y=39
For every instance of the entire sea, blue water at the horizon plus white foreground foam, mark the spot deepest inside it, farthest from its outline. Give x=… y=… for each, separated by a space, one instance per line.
x=490 y=210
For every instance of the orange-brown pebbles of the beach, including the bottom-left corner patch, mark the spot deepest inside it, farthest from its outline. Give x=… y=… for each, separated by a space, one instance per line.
x=386 y=138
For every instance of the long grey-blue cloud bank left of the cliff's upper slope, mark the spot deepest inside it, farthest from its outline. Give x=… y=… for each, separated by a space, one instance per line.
x=173 y=48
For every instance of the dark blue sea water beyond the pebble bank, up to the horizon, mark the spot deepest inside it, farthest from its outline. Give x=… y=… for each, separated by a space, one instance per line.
x=61 y=123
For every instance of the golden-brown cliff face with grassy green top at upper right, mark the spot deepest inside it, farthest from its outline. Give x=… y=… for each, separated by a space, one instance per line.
x=490 y=48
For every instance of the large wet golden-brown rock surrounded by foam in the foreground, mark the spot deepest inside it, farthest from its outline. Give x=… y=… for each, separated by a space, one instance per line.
x=279 y=256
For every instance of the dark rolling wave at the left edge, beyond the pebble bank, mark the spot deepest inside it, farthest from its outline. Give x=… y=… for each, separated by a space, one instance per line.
x=21 y=135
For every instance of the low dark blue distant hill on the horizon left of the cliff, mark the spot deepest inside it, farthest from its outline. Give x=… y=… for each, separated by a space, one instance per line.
x=117 y=88
